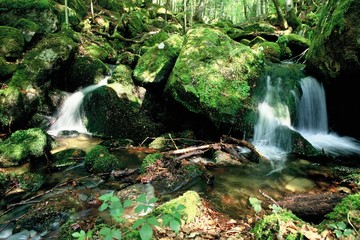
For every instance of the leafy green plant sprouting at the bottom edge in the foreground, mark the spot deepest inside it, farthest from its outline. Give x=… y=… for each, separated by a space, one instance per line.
x=144 y=225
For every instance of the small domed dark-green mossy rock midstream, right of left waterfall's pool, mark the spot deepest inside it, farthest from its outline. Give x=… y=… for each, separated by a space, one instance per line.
x=99 y=160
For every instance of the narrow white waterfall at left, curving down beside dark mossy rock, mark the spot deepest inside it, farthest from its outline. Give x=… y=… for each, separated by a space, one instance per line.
x=69 y=115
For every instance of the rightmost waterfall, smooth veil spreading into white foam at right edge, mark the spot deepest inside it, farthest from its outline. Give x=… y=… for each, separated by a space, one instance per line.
x=312 y=122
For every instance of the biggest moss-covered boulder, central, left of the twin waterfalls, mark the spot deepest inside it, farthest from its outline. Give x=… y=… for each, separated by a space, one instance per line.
x=214 y=75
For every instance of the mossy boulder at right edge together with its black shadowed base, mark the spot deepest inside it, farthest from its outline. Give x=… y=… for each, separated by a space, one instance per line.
x=334 y=58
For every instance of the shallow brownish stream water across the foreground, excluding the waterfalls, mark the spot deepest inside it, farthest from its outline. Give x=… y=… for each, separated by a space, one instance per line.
x=229 y=191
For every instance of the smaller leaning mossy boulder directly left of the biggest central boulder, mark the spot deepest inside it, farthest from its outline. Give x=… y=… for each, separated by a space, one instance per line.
x=156 y=64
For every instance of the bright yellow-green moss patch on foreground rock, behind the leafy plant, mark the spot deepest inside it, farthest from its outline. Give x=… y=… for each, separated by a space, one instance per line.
x=190 y=199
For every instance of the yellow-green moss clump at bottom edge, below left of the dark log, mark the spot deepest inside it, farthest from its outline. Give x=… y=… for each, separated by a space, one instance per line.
x=268 y=227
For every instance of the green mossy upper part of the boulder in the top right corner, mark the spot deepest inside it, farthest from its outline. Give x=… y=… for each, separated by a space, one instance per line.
x=335 y=47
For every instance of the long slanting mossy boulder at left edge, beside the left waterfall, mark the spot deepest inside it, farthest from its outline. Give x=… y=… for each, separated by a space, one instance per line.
x=21 y=99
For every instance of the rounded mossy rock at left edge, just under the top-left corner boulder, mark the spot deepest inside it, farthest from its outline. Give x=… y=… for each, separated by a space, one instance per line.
x=11 y=41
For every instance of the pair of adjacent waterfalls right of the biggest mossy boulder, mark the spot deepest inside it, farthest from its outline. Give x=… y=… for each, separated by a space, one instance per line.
x=312 y=124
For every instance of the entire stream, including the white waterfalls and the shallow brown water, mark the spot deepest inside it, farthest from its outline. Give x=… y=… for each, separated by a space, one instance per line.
x=232 y=185
